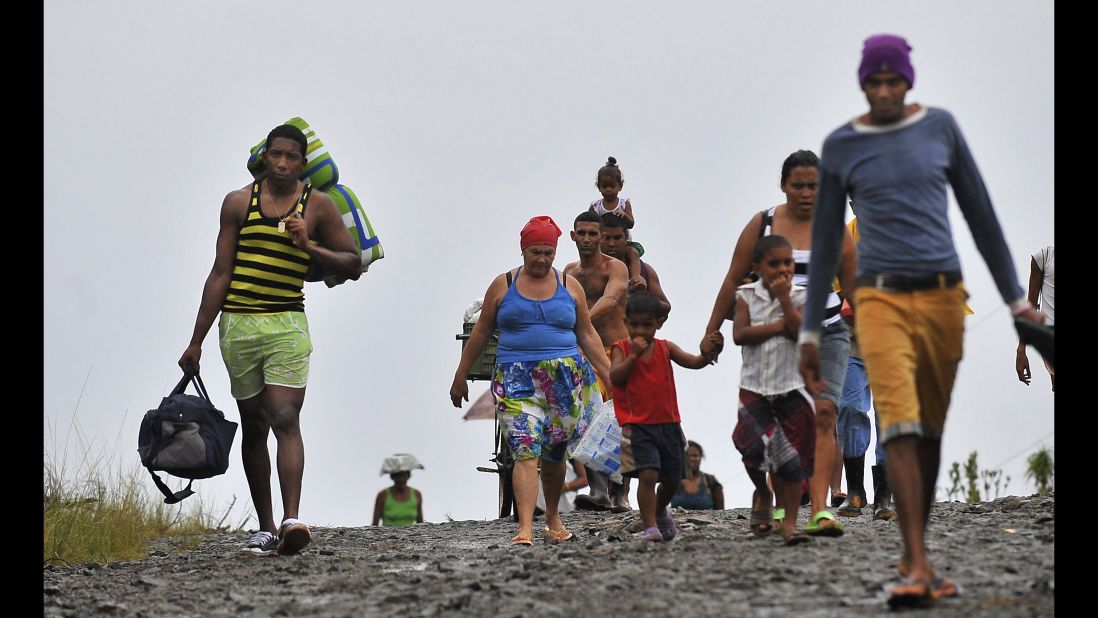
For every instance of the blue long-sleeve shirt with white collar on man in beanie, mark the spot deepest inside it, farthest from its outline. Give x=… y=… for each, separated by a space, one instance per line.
x=898 y=177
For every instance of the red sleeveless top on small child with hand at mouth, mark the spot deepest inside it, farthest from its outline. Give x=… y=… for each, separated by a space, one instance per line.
x=649 y=396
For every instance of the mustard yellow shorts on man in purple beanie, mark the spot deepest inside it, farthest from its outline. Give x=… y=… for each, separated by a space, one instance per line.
x=912 y=343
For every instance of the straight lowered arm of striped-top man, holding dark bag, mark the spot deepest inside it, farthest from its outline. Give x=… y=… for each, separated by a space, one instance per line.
x=216 y=289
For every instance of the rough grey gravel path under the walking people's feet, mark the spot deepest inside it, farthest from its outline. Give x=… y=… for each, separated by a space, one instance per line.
x=1001 y=553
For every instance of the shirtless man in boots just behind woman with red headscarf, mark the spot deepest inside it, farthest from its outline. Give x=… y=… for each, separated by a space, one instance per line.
x=606 y=282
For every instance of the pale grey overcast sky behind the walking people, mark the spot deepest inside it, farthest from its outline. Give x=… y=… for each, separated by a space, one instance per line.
x=456 y=122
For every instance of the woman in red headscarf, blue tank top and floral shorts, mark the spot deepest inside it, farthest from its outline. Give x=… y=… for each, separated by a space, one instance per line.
x=545 y=389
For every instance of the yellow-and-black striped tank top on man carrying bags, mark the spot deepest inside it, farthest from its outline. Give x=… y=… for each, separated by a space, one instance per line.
x=270 y=272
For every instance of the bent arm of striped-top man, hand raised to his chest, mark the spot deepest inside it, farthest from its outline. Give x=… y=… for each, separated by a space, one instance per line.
x=334 y=251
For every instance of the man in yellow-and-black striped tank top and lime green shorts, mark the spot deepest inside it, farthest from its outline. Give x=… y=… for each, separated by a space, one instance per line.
x=272 y=232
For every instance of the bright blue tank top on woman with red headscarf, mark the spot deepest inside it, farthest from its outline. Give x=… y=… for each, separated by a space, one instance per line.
x=536 y=330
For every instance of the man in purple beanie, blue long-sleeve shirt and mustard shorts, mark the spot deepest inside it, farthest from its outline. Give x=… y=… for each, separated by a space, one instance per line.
x=898 y=161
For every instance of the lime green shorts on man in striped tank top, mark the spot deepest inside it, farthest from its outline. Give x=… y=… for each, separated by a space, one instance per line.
x=262 y=350
